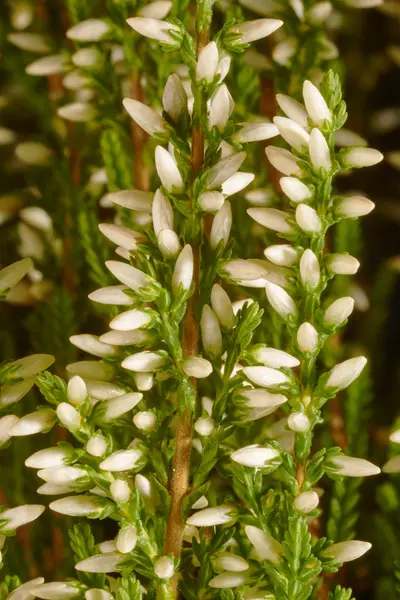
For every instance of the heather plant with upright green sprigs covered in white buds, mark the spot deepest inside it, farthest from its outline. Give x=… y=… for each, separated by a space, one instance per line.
x=197 y=444
